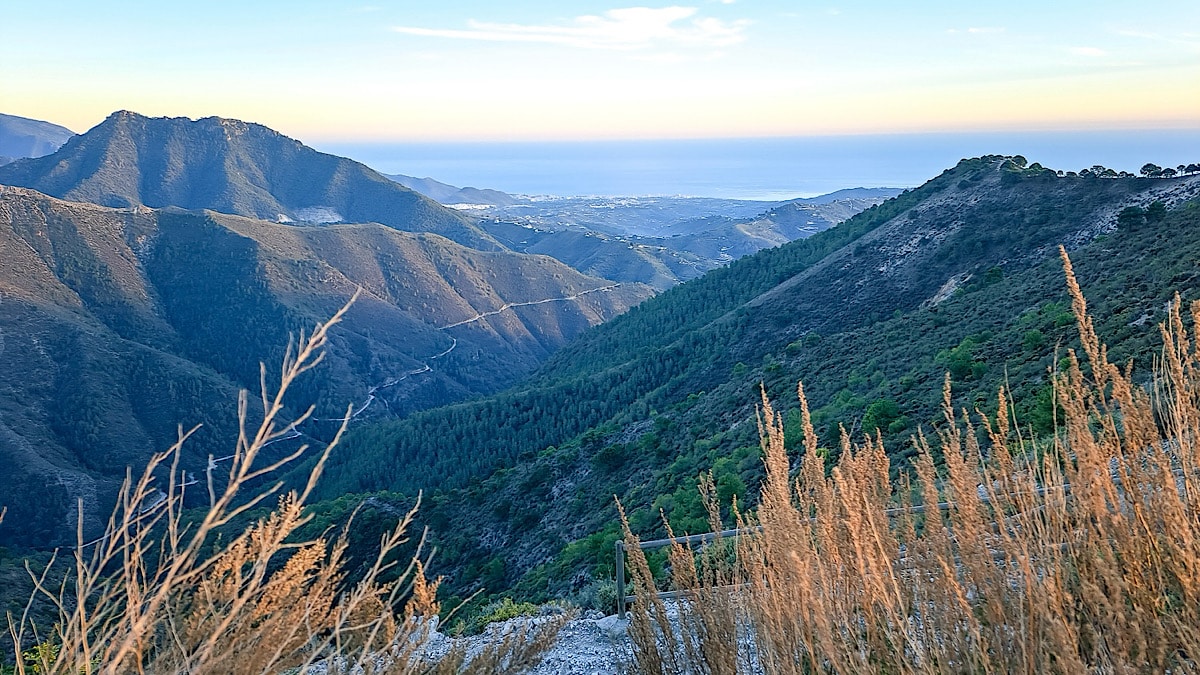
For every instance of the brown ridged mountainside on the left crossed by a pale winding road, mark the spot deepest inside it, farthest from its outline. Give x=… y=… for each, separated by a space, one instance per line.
x=118 y=325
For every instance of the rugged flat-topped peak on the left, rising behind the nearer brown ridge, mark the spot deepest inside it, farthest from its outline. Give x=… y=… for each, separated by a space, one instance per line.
x=232 y=168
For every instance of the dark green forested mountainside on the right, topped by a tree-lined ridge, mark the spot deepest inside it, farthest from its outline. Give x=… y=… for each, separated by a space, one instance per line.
x=959 y=276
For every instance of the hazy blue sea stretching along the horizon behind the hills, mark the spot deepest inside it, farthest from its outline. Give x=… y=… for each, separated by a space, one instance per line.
x=757 y=169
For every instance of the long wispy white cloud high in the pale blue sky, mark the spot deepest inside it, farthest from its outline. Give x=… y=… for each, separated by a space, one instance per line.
x=628 y=29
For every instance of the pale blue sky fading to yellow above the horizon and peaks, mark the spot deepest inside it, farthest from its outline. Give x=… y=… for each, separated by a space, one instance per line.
x=439 y=71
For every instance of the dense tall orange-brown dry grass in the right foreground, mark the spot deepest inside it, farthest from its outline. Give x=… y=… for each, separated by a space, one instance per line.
x=1076 y=554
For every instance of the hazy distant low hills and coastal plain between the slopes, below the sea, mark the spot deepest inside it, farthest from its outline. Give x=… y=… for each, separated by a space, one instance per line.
x=655 y=241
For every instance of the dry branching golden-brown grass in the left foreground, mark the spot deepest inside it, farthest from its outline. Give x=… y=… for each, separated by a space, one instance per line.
x=163 y=594
